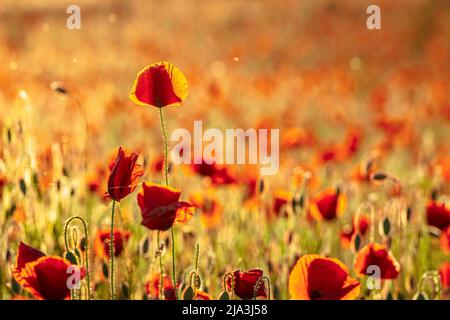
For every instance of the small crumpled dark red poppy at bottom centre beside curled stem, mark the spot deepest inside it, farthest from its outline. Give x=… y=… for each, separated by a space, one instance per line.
x=244 y=284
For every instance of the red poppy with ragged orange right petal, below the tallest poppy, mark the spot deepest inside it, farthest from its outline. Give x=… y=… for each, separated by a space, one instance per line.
x=161 y=208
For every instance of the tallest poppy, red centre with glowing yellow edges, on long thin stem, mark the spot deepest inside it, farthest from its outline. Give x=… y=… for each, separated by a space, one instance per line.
x=159 y=85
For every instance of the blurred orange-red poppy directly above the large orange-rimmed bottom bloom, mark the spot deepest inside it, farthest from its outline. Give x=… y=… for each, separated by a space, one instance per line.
x=327 y=205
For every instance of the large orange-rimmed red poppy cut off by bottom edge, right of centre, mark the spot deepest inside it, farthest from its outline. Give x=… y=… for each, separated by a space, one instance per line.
x=317 y=278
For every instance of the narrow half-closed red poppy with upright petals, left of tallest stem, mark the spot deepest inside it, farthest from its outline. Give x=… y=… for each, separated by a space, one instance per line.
x=124 y=175
